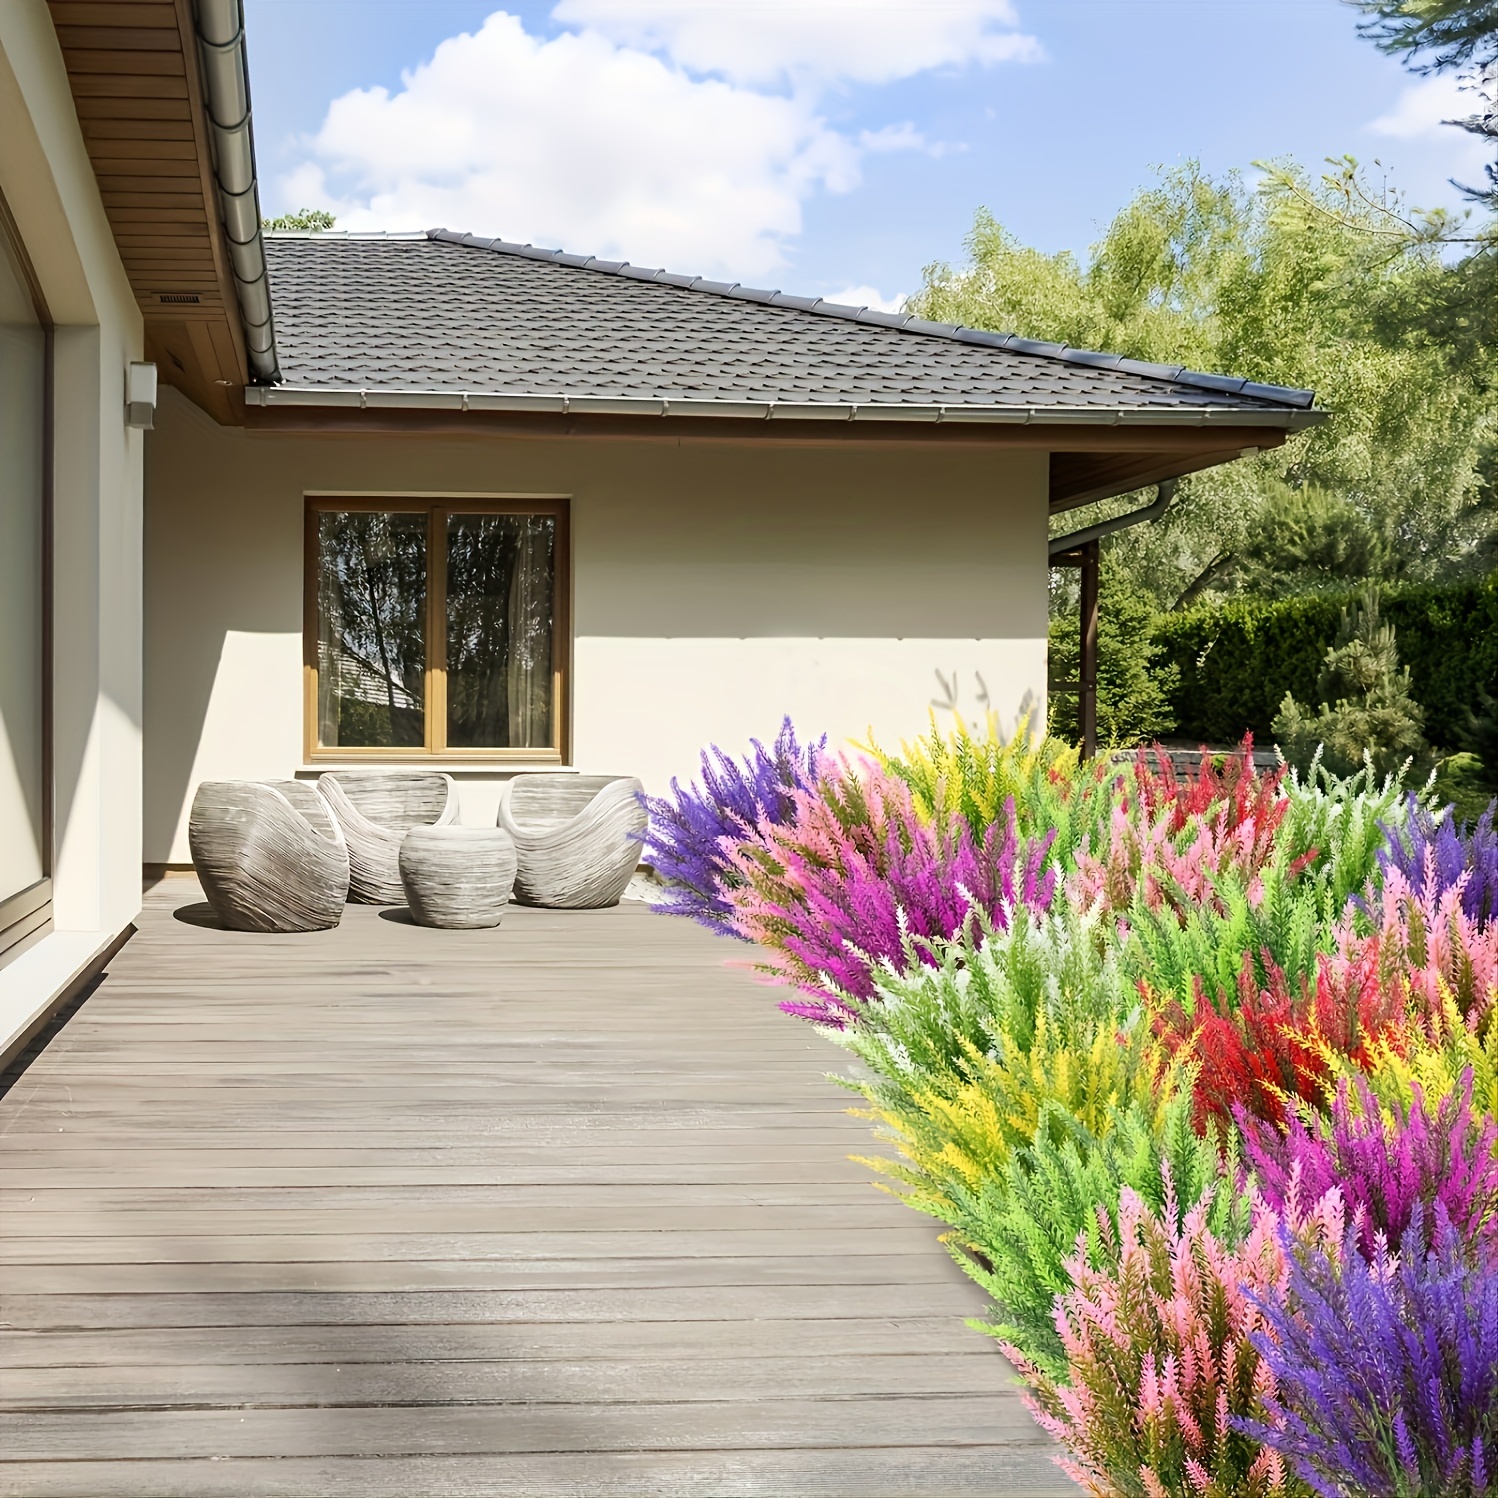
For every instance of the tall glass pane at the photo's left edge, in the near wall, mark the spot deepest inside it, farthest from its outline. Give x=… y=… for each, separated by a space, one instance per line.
x=23 y=374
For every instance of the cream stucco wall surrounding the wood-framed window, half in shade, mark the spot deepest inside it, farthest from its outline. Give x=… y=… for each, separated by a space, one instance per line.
x=715 y=588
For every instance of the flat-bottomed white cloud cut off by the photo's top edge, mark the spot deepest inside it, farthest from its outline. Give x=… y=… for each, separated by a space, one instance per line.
x=804 y=41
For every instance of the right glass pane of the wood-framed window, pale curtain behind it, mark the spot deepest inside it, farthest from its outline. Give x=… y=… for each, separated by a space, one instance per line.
x=501 y=585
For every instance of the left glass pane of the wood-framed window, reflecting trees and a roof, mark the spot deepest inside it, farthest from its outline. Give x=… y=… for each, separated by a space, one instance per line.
x=372 y=652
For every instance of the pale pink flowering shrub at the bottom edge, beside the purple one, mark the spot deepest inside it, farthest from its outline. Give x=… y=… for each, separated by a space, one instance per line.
x=1163 y=1361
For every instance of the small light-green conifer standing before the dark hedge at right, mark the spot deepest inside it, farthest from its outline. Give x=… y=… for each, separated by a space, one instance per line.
x=1367 y=712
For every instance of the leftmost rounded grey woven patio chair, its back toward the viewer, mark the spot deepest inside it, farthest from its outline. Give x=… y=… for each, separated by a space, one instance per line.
x=269 y=855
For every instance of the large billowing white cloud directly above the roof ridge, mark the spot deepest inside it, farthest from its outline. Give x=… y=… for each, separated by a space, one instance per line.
x=579 y=143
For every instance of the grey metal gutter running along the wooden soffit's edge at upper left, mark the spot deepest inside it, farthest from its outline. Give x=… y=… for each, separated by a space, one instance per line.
x=227 y=89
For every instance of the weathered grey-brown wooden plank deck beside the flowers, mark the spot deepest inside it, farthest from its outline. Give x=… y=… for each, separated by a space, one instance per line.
x=561 y=1210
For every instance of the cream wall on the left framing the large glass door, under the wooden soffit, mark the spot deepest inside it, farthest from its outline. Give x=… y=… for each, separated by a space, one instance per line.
x=50 y=187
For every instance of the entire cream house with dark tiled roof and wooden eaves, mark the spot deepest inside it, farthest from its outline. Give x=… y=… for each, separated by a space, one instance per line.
x=450 y=501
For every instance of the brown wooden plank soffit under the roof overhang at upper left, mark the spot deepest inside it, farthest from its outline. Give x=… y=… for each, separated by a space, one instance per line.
x=136 y=80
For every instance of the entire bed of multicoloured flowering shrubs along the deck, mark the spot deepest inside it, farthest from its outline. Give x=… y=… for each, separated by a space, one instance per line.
x=1199 y=1073
